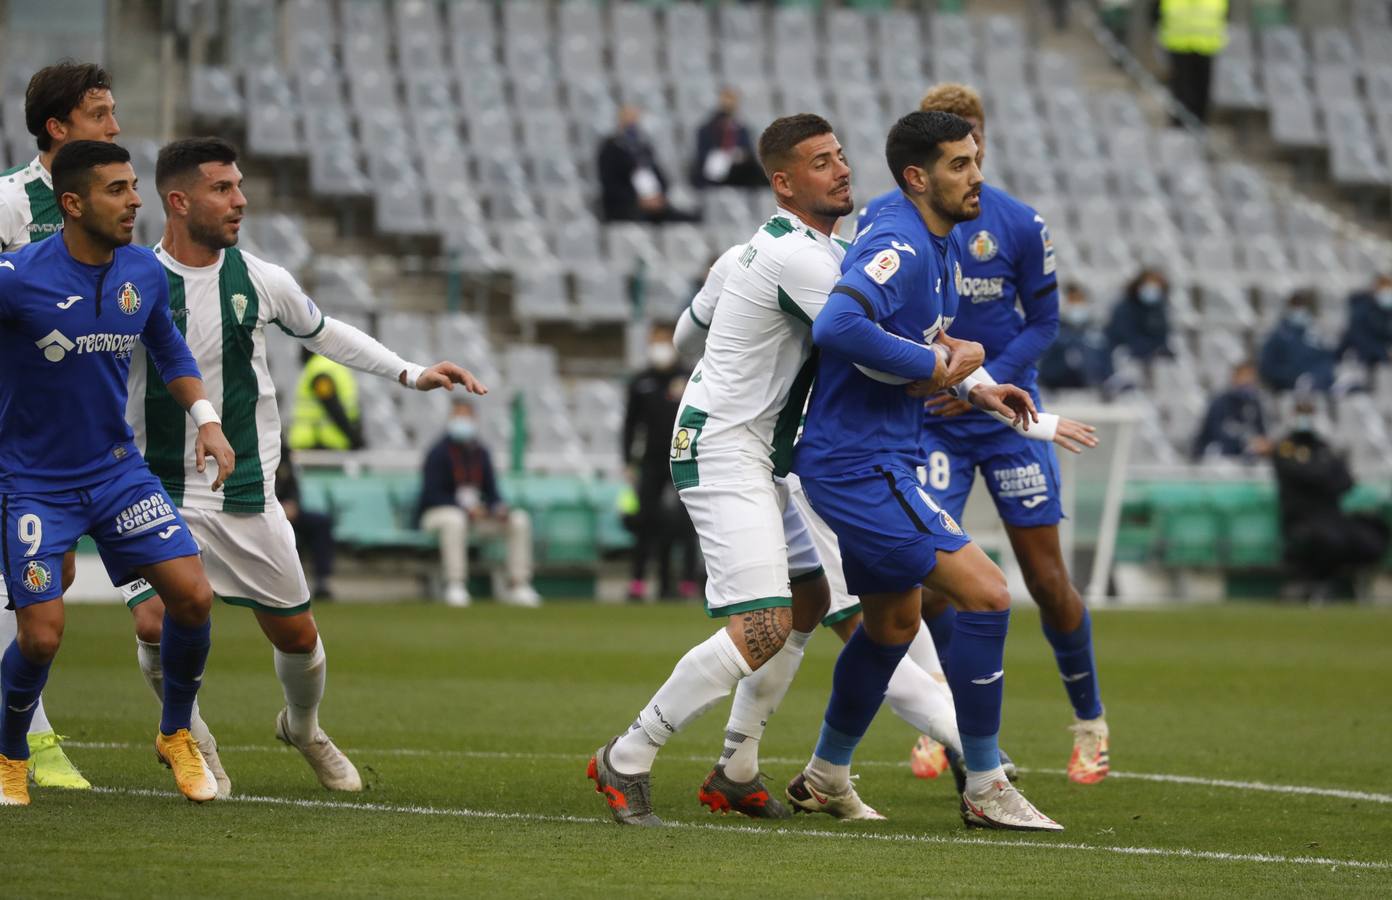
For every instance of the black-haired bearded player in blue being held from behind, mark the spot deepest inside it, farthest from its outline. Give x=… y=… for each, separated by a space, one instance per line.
x=883 y=328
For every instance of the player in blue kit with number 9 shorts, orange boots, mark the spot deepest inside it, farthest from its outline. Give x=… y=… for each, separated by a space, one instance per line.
x=72 y=312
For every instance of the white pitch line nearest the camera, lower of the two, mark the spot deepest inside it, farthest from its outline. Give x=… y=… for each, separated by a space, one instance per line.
x=787 y=833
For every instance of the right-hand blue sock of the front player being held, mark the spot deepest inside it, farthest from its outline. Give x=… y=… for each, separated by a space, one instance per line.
x=976 y=675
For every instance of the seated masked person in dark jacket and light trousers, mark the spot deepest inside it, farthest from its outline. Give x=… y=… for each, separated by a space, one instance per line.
x=459 y=493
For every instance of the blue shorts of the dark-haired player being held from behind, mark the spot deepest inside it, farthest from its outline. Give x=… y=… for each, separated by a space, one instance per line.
x=889 y=528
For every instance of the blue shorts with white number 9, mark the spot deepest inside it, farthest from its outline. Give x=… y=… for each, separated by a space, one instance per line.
x=132 y=518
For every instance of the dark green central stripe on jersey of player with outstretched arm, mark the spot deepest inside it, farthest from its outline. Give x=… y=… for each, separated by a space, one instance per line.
x=246 y=490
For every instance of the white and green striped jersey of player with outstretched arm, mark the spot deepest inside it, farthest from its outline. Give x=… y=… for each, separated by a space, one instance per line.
x=222 y=311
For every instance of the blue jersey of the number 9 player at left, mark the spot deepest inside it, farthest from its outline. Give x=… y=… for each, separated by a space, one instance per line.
x=68 y=332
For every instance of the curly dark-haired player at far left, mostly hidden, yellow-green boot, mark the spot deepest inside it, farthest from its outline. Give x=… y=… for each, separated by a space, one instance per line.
x=62 y=104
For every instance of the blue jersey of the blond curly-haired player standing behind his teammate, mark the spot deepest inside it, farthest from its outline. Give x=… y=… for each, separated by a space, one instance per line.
x=1010 y=296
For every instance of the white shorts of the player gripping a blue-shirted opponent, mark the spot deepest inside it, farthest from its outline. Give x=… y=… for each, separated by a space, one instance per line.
x=741 y=532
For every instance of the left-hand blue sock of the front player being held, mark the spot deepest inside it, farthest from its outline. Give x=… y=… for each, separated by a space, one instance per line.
x=858 y=685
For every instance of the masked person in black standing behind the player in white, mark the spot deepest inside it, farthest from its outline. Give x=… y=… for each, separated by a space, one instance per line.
x=662 y=525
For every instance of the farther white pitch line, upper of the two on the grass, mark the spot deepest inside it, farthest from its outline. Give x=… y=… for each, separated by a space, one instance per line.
x=1340 y=794
